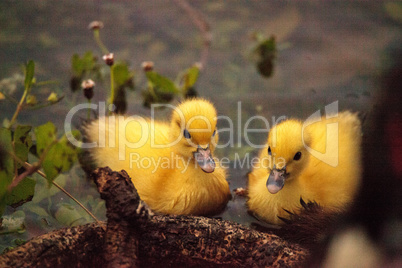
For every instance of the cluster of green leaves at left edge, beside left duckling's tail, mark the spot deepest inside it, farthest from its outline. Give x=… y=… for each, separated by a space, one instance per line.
x=57 y=156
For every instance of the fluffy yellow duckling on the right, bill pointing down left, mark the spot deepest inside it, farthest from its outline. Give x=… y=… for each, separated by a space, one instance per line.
x=319 y=162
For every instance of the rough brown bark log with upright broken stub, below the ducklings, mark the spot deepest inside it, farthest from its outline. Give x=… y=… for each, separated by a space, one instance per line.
x=134 y=237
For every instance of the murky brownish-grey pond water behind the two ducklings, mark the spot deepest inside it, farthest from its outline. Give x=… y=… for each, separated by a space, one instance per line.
x=329 y=51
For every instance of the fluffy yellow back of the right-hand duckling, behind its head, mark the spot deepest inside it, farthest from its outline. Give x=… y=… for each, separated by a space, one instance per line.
x=333 y=174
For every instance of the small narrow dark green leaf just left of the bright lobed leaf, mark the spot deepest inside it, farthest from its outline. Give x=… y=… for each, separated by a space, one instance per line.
x=22 y=142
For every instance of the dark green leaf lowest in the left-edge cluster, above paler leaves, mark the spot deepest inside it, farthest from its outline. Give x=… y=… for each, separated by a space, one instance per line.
x=21 y=193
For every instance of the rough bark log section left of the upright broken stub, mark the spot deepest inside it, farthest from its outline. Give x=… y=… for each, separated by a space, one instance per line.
x=80 y=246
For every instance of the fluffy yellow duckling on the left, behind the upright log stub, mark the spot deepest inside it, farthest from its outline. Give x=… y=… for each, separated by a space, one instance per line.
x=171 y=165
